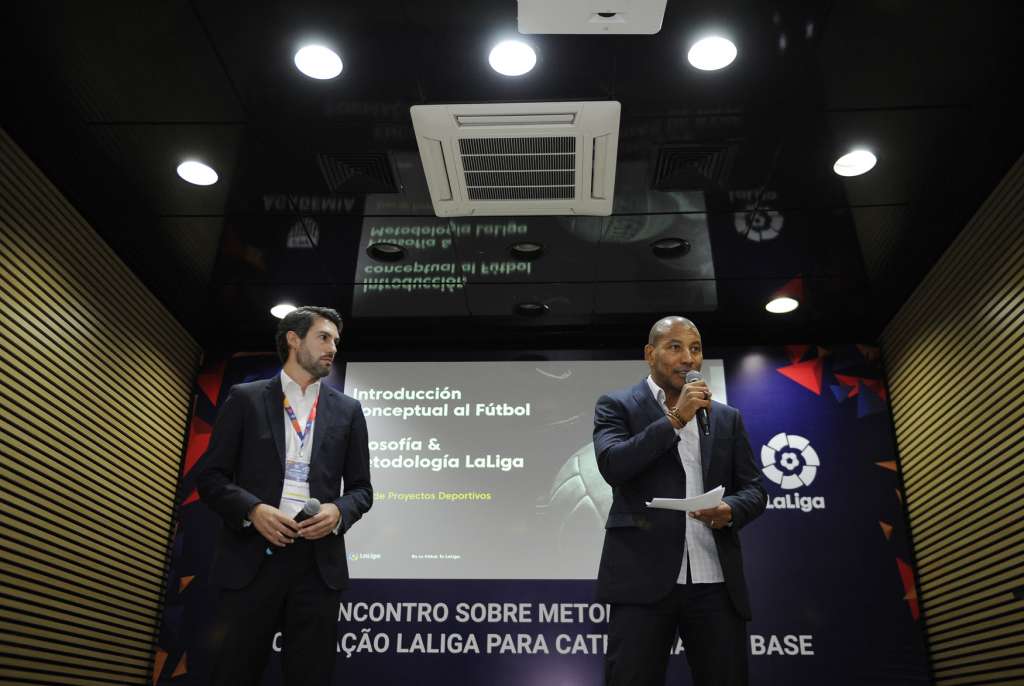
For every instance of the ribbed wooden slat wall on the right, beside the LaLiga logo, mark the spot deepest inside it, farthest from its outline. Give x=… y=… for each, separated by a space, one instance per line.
x=955 y=355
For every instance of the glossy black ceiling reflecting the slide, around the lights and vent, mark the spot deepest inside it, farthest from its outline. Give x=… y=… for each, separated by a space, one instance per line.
x=738 y=163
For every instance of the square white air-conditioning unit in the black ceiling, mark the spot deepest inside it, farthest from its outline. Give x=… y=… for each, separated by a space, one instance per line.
x=542 y=158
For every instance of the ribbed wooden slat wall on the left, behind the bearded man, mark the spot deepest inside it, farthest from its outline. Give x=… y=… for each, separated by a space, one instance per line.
x=96 y=389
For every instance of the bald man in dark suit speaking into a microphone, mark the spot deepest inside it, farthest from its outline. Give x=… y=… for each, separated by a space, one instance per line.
x=665 y=573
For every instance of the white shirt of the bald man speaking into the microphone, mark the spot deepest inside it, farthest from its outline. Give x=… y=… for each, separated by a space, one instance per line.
x=699 y=546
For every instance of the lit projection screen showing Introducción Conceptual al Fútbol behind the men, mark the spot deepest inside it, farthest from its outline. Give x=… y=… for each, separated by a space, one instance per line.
x=486 y=470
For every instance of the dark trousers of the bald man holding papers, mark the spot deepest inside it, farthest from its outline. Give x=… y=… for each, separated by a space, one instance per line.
x=714 y=636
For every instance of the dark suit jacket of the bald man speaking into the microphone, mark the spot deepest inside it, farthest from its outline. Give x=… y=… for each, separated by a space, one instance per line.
x=637 y=455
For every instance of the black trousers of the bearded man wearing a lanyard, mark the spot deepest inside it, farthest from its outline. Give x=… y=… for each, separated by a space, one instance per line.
x=288 y=595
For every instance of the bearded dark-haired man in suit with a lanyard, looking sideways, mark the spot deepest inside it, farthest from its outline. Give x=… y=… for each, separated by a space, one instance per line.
x=276 y=445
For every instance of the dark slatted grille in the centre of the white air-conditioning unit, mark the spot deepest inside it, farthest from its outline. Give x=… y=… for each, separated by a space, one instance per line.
x=528 y=168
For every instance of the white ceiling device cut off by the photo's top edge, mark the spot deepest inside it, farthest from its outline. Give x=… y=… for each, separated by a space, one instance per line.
x=591 y=17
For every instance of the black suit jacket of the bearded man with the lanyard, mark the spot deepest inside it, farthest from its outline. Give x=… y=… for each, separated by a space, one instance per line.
x=245 y=466
